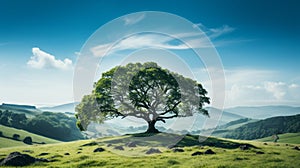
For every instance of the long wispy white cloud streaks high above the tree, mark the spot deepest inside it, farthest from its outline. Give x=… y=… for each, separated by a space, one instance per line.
x=137 y=41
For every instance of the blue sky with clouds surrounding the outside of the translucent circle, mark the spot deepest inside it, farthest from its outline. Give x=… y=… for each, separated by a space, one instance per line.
x=258 y=43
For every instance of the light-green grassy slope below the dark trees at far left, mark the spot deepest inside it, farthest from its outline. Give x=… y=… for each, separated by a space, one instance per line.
x=8 y=132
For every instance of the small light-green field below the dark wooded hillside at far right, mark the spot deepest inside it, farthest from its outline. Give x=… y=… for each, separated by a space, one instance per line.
x=293 y=138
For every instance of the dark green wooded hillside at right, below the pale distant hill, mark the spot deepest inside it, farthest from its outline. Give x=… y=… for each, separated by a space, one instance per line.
x=267 y=127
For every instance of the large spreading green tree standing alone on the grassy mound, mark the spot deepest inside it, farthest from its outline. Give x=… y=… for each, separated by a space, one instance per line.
x=145 y=91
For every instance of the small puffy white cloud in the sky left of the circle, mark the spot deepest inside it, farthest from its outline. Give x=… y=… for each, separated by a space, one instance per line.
x=41 y=59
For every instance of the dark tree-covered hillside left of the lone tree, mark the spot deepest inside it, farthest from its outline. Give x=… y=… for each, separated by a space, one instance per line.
x=53 y=125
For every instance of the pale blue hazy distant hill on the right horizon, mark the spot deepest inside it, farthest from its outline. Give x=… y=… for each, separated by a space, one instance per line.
x=263 y=112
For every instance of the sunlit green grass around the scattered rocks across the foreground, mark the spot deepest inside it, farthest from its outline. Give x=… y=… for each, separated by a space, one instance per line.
x=80 y=154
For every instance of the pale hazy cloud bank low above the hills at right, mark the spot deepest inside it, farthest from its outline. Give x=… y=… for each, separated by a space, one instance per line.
x=262 y=93
